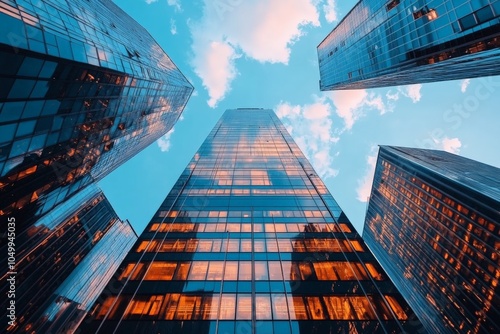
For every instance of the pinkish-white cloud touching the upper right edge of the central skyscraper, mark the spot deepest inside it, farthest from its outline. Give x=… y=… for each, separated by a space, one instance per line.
x=311 y=127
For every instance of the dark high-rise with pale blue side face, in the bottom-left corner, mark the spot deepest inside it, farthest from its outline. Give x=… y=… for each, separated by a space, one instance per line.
x=63 y=263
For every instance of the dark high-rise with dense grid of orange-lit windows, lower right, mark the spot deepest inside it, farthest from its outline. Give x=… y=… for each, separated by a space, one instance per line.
x=433 y=223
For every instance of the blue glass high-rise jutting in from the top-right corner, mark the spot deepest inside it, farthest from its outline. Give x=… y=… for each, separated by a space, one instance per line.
x=399 y=42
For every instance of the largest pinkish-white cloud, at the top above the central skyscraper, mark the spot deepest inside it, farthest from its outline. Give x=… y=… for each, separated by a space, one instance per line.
x=263 y=30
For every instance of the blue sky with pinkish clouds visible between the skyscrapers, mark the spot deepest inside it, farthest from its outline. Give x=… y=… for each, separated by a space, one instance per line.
x=262 y=53
